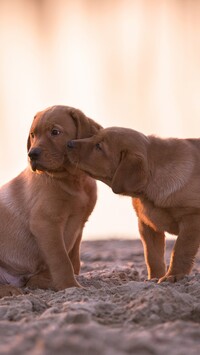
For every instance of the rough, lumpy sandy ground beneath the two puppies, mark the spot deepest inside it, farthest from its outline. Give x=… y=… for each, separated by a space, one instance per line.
x=117 y=312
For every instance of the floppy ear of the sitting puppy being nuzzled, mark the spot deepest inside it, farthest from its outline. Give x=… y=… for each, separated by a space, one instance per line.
x=86 y=127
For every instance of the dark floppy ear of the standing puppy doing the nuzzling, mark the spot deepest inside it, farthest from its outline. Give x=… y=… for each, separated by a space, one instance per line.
x=131 y=174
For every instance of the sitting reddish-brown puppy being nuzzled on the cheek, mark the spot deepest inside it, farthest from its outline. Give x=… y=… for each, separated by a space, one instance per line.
x=44 y=209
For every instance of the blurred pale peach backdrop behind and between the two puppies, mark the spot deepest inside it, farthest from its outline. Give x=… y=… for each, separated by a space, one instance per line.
x=132 y=63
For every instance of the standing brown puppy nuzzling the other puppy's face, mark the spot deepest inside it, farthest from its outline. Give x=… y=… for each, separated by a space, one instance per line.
x=163 y=177
